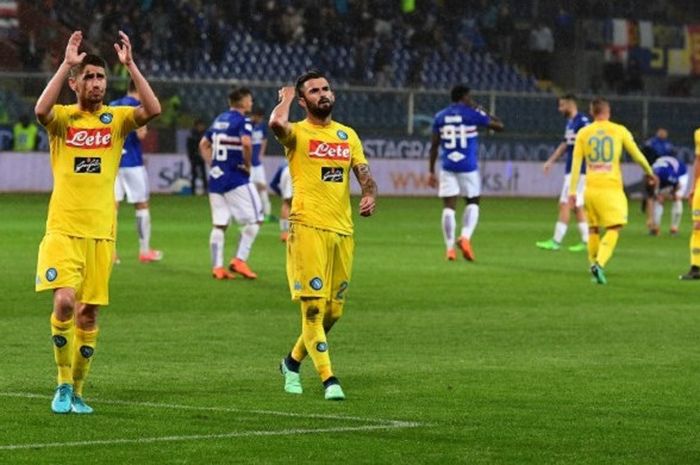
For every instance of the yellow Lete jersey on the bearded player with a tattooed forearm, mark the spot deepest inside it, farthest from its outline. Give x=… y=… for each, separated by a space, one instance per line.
x=320 y=161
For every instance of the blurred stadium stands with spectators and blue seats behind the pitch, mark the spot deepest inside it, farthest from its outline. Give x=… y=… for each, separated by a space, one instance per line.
x=396 y=54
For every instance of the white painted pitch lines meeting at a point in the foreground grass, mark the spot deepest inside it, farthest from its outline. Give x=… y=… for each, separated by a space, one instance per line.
x=379 y=424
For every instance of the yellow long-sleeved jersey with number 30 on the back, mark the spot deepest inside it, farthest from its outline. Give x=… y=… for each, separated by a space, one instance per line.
x=600 y=144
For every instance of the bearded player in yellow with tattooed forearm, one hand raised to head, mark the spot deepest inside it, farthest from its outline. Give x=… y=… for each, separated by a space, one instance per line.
x=321 y=153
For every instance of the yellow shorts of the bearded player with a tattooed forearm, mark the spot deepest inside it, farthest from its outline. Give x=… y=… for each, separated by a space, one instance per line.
x=319 y=262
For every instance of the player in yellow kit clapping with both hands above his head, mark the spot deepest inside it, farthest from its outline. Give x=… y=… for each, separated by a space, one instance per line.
x=75 y=255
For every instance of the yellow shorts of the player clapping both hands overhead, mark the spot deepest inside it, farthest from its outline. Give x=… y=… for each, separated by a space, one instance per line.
x=83 y=264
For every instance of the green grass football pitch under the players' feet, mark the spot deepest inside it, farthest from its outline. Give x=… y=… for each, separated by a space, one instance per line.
x=514 y=359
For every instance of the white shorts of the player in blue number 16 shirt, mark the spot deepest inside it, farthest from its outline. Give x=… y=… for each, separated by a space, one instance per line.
x=242 y=204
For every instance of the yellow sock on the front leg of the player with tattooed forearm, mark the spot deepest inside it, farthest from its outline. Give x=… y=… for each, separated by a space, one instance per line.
x=312 y=315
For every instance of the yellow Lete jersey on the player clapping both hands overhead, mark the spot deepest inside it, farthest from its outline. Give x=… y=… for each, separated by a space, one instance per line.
x=85 y=152
